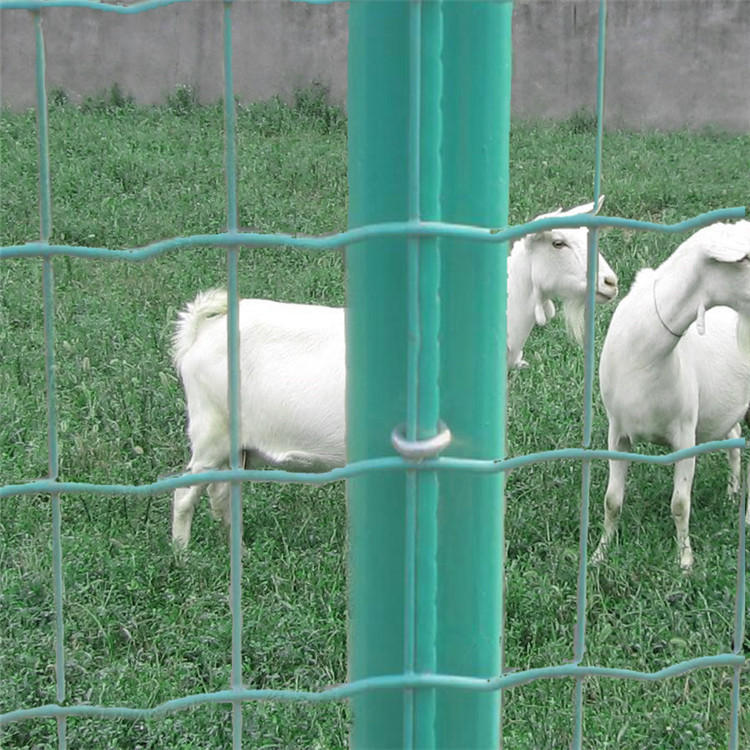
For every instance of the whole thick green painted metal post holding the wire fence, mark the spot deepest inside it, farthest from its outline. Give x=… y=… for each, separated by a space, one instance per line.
x=426 y=340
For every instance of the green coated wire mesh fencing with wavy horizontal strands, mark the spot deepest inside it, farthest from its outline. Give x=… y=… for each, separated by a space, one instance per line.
x=233 y=240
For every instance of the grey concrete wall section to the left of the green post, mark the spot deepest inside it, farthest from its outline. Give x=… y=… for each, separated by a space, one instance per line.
x=278 y=46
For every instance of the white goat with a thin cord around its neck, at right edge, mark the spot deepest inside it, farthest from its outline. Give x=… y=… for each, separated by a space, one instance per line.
x=675 y=367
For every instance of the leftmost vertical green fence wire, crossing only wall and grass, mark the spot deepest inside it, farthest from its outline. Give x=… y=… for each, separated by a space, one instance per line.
x=48 y=301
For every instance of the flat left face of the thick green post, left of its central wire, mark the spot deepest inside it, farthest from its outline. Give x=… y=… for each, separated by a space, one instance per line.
x=376 y=359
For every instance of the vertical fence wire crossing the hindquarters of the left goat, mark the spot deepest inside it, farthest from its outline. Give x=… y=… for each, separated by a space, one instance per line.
x=233 y=375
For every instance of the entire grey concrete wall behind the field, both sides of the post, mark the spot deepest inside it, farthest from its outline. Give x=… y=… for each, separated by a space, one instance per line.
x=670 y=63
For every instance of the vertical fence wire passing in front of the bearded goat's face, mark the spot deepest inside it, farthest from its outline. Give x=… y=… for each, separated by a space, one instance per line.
x=579 y=644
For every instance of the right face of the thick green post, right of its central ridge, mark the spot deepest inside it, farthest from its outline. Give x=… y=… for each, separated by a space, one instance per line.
x=477 y=69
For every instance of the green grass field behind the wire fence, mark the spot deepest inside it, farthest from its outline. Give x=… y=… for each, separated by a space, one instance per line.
x=140 y=629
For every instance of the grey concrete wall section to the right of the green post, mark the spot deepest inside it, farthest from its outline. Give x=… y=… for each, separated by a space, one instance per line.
x=669 y=64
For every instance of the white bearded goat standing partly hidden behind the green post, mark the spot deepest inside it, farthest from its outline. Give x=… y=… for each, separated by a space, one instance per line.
x=292 y=365
